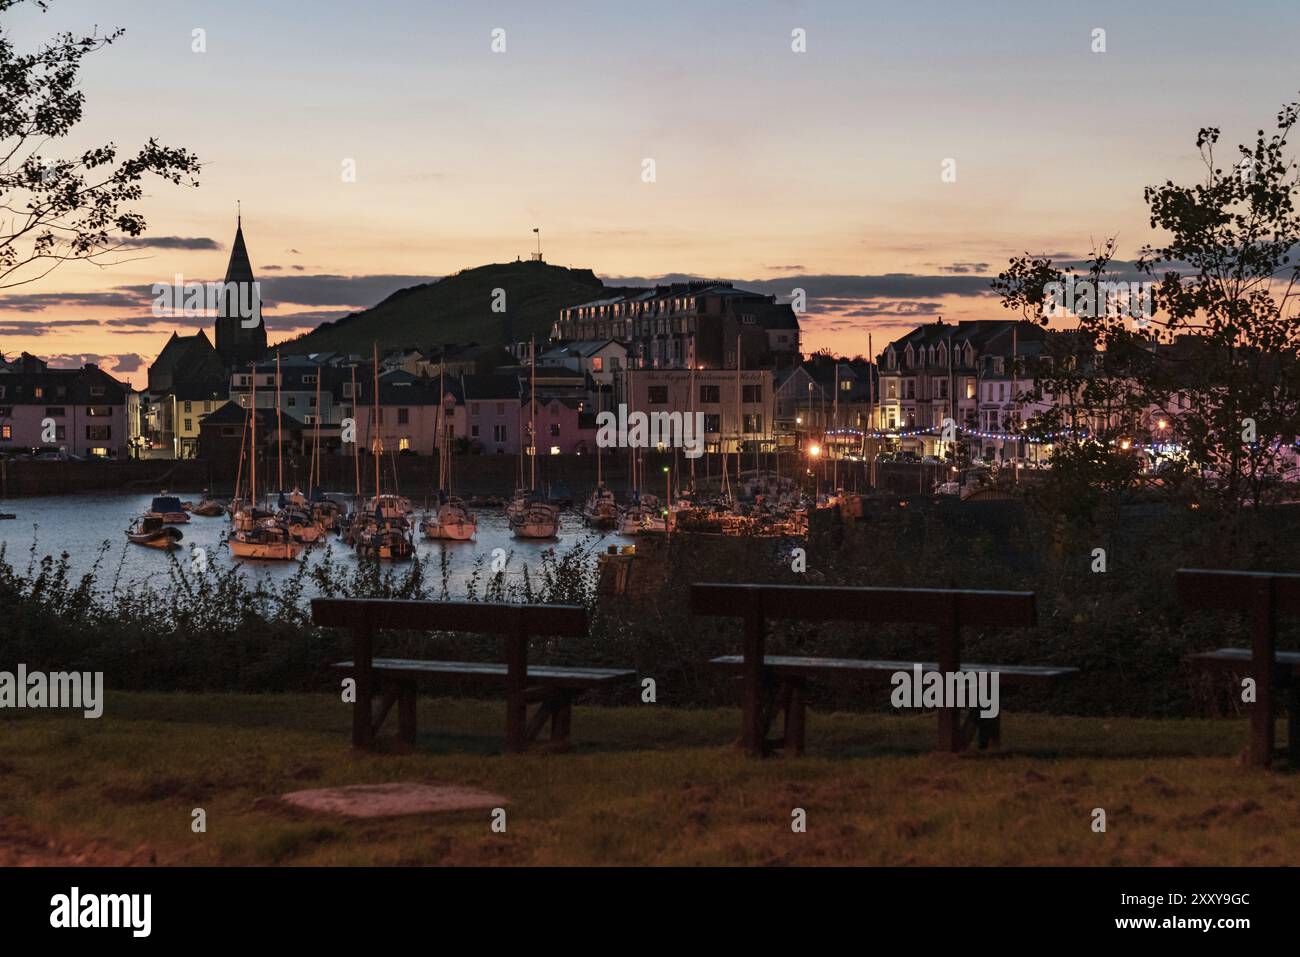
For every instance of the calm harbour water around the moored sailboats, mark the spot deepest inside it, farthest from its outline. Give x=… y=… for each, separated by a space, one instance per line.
x=81 y=525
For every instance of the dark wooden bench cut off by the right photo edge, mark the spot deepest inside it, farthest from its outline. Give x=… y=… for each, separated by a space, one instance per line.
x=1264 y=596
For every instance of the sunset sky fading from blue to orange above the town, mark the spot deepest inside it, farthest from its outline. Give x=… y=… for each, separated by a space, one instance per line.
x=821 y=170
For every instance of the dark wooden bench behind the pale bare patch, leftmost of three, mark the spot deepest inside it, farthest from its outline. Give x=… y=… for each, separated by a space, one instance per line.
x=553 y=690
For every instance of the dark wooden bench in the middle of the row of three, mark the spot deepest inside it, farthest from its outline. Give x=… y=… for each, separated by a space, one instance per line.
x=777 y=683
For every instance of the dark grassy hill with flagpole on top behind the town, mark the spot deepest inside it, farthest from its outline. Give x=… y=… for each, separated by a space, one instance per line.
x=460 y=309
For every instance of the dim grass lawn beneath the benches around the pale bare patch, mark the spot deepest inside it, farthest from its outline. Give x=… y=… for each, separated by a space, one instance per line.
x=647 y=786
